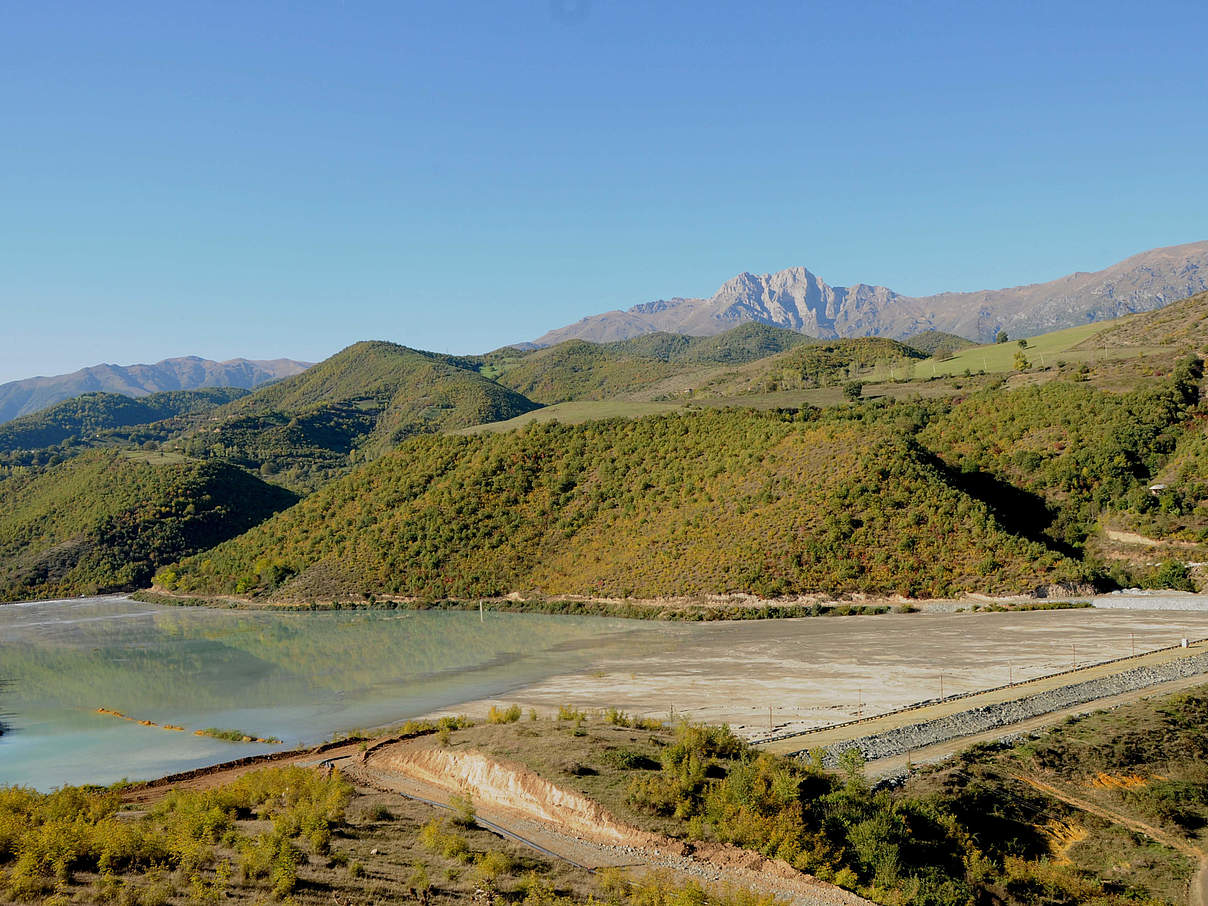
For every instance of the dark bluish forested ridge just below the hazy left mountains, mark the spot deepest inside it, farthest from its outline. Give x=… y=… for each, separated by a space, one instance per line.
x=96 y=413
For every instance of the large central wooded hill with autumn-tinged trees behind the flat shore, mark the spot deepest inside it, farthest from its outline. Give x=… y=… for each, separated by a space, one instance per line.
x=995 y=492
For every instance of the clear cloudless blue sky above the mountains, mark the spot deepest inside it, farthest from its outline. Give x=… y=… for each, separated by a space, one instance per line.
x=276 y=179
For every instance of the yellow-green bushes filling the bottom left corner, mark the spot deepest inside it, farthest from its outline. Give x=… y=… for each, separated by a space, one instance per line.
x=189 y=843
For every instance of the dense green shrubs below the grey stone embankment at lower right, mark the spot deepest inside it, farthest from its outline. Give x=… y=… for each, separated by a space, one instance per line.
x=967 y=833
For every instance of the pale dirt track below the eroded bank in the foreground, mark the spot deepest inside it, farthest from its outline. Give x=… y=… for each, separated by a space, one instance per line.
x=637 y=859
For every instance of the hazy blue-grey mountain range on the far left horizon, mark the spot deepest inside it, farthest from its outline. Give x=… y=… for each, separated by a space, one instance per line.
x=21 y=398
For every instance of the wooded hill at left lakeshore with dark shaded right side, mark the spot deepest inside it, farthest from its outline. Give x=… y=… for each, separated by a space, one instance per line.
x=106 y=521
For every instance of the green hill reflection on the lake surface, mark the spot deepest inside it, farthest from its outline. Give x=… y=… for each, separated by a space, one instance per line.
x=138 y=657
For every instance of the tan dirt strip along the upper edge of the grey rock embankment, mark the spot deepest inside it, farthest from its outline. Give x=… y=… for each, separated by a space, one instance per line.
x=949 y=707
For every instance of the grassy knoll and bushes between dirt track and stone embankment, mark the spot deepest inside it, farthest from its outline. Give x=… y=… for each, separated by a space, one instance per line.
x=994 y=826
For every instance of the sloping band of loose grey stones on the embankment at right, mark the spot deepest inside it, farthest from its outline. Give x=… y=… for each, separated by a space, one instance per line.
x=979 y=721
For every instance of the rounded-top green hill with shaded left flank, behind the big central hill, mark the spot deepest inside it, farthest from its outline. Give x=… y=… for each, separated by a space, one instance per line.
x=351 y=408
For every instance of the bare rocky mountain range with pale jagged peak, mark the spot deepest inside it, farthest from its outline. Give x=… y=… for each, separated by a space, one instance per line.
x=802 y=301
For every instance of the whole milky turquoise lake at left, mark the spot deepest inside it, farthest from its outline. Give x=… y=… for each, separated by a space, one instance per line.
x=299 y=677
